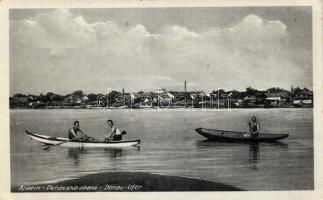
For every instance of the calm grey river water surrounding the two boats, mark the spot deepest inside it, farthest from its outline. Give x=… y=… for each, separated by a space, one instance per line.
x=170 y=146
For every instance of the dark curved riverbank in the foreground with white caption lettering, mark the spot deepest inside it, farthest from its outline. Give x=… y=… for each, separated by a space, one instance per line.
x=127 y=182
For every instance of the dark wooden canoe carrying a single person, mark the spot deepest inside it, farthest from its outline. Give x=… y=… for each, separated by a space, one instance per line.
x=235 y=136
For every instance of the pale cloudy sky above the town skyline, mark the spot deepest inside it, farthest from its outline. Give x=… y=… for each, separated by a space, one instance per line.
x=99 y=50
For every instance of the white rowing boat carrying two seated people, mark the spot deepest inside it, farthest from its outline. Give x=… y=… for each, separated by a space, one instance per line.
x=49 y=140
